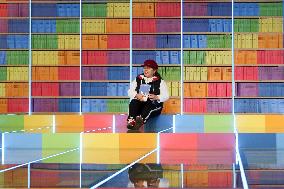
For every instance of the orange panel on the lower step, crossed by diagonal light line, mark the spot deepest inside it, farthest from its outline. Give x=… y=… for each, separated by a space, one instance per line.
x=135 y=145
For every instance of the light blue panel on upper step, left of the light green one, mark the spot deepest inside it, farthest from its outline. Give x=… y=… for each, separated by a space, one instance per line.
x=189 y=124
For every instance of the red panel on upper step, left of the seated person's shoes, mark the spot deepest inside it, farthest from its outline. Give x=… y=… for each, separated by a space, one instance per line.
x=98 y=123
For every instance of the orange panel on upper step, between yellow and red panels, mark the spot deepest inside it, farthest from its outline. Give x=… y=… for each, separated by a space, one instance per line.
x=69 y=123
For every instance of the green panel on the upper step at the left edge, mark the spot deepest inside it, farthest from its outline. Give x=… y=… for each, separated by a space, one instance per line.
x=10 y=123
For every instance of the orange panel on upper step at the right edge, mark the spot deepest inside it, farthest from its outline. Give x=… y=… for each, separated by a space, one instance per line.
x=274 y=123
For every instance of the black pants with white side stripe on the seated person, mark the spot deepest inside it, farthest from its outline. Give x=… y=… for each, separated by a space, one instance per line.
x=146 y=109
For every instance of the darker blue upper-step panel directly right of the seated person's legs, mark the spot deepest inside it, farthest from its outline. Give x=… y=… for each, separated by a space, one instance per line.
x=159 y=123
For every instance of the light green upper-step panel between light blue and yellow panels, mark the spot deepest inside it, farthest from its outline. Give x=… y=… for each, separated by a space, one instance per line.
x=218 y=124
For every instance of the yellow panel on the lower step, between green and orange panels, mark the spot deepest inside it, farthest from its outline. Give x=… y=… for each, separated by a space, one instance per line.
x=101 y=148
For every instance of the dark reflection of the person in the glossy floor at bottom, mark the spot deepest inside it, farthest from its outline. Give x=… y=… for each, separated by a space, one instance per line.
x=145 y=175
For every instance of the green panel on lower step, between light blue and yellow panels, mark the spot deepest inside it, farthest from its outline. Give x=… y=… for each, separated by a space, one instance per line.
x=61 y=142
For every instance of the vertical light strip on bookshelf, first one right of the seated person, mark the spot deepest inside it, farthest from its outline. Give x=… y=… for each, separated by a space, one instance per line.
x=181 y=58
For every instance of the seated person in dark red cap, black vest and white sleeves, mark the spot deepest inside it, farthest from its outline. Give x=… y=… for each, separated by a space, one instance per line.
x=147 y=94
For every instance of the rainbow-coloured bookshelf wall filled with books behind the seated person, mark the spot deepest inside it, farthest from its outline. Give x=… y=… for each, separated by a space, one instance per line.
x=83 y=63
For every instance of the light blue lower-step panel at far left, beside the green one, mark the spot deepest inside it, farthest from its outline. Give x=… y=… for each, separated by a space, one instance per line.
x=22 y=148
